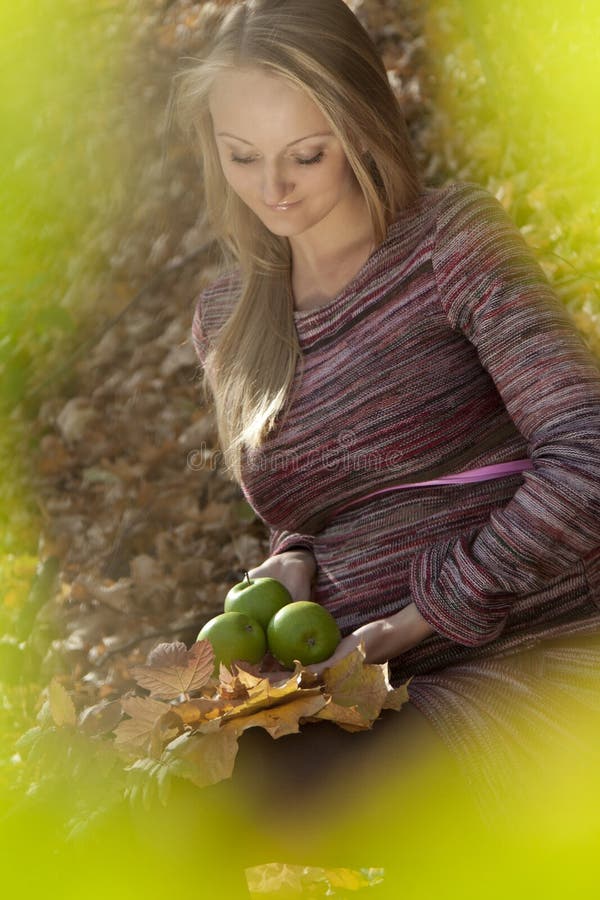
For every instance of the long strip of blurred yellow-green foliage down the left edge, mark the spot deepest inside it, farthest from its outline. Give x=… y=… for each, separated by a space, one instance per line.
x=64 y=136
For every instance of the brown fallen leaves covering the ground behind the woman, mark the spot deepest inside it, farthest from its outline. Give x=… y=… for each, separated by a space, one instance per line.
x=148 y=532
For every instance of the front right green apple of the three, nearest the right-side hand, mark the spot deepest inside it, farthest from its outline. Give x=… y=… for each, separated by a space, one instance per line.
x=303 y=630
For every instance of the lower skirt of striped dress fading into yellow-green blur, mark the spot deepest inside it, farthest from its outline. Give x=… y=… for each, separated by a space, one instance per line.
x=503 y=716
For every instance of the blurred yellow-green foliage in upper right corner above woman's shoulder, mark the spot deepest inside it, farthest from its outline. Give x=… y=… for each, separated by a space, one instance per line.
x=516 y=95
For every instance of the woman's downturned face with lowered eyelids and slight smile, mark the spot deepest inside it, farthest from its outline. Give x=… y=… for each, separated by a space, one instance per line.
x=276 y=147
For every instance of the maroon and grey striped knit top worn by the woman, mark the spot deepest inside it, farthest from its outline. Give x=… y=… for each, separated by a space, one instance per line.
x=447 y=351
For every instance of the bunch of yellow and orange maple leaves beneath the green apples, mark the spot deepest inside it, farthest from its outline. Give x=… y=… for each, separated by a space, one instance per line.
x=189 y=722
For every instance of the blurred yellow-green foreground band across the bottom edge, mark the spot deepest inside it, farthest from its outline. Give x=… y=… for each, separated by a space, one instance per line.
x=426 y=837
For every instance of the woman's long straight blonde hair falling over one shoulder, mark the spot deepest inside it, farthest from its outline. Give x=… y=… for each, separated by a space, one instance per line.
x=321 y=47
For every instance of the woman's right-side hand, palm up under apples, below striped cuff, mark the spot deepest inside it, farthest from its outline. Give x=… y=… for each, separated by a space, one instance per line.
x=383 y=639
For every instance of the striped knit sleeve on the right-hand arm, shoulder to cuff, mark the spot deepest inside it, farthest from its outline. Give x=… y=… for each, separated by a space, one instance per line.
x=495 y=293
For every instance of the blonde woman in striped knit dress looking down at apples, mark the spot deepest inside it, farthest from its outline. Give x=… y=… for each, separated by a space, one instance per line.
x=369 y=334
